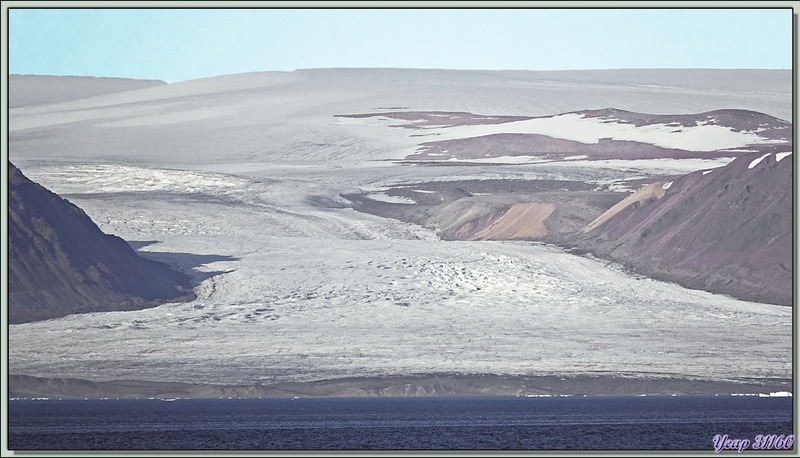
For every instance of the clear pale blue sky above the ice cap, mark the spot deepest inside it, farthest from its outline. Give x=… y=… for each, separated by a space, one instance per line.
x=181 y=44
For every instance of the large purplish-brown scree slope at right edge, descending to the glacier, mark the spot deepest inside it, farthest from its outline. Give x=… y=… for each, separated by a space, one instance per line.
x=727 y=231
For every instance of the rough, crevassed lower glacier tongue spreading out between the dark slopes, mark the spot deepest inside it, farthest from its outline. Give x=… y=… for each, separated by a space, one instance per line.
x=295 y=291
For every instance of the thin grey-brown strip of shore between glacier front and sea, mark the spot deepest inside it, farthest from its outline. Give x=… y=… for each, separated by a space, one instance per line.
x=25 y=387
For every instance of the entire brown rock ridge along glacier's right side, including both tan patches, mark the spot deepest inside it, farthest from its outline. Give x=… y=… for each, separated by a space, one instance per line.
x=726 y=230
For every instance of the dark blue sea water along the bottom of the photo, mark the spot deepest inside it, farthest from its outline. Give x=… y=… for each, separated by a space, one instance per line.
x=564 y=423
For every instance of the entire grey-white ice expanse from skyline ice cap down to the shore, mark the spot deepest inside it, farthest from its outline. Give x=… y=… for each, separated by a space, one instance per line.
x=237 y=181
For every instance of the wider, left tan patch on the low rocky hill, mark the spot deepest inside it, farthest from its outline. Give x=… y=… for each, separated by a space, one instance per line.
x=521 y=221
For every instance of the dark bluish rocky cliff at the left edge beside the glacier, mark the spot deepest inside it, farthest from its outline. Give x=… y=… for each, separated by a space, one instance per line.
x=61 y=263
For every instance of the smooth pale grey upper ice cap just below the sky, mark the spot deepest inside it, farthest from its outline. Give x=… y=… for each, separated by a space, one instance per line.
x=276 y=116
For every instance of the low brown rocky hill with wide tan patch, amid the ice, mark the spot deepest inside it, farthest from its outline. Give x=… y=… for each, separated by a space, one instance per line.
x=494 y=209
